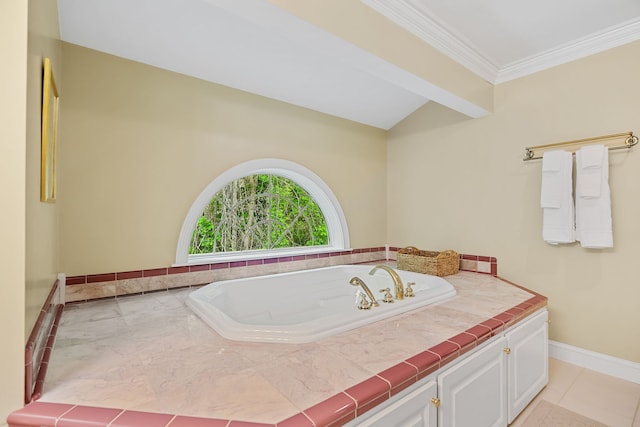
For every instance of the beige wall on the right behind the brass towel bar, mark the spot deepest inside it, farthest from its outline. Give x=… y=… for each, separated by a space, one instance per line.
x=461 y=184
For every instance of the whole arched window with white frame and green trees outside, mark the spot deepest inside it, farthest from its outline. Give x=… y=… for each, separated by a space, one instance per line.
x=259 y=209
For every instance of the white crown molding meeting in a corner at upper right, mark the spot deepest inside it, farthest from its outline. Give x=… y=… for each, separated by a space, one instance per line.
x=429 y=29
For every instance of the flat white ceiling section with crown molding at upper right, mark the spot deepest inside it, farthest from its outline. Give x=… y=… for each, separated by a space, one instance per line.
x=505 y=39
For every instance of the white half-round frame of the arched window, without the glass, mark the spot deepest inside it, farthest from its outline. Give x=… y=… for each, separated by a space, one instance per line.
x=337 y=230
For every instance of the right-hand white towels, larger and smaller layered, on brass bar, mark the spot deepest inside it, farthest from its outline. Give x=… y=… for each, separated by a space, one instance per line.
x=593 y=202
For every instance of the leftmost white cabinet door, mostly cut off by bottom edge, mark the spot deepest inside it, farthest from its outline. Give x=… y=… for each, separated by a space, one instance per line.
x=413 y=410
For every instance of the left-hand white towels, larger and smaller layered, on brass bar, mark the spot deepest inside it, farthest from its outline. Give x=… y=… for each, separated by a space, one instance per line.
x=556 y=198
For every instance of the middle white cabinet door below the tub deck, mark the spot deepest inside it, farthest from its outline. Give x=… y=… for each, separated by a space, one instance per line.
x=473 y=392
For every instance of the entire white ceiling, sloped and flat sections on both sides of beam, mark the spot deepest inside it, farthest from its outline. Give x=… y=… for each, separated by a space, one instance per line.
x=254 y=46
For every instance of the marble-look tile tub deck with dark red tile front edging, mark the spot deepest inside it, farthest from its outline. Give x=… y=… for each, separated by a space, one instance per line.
x=129 y=353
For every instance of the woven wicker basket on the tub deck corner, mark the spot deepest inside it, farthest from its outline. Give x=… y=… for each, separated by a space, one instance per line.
x=436 y=263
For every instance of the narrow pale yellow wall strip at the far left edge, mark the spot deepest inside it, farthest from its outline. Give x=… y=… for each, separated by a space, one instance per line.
x=13 y=86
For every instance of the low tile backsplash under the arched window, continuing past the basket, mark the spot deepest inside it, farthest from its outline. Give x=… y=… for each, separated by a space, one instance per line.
x=111 y=285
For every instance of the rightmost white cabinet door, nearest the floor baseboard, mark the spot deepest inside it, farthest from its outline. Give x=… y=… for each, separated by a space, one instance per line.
x=527 y=363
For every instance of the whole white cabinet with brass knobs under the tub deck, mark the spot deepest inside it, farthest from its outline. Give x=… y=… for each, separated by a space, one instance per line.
x=488 y=387
